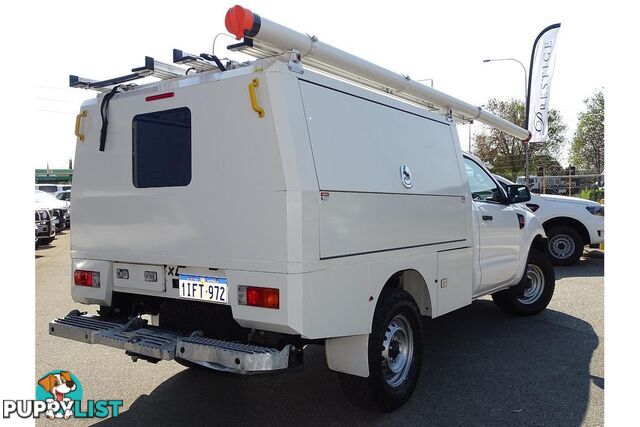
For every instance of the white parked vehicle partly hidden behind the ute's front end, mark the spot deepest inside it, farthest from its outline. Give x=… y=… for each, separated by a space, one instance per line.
x=570 y=223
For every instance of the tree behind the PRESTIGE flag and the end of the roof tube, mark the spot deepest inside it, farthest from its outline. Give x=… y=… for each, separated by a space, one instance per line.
x=506 y=153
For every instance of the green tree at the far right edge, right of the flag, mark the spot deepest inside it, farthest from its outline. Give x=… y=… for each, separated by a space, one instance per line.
x=587 y=147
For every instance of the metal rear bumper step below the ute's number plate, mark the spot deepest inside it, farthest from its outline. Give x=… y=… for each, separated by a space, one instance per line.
x=138 y=338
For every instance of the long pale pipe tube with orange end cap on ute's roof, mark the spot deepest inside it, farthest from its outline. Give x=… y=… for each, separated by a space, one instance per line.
x=242 y=22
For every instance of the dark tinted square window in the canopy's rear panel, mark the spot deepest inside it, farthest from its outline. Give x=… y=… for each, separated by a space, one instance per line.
x=162 y=148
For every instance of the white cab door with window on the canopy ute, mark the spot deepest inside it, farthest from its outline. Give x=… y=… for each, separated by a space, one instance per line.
x=498 y=228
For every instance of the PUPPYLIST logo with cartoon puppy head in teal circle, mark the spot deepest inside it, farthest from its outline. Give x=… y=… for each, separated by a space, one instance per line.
x=59 y=395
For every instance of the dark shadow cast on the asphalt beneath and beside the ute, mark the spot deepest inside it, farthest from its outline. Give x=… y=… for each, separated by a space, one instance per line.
x=480 y=368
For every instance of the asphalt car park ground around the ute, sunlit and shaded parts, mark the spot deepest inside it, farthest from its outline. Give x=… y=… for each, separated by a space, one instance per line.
x=480 y=367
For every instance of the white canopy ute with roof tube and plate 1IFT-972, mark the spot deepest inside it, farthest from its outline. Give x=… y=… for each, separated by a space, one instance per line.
x=252 y=209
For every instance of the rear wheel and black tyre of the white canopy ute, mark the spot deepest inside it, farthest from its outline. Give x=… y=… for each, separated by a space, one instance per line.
x=395 y=355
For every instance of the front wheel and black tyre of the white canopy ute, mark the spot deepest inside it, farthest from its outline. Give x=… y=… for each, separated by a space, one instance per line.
x=538 y=282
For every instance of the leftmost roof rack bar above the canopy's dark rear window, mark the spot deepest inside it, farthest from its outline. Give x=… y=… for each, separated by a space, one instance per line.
x=151 y=68
